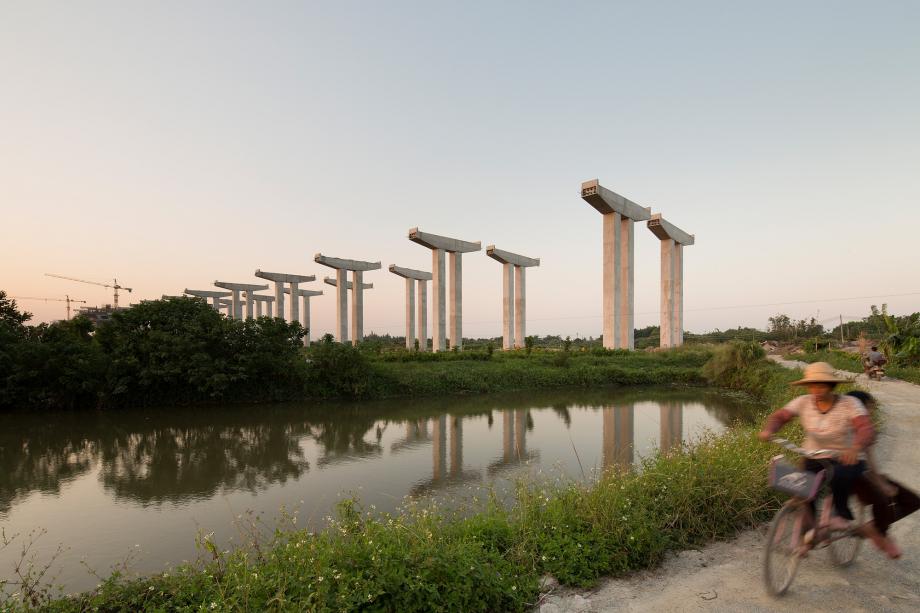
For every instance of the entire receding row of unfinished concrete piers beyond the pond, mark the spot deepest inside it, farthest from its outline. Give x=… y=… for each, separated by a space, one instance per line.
x=618 y=266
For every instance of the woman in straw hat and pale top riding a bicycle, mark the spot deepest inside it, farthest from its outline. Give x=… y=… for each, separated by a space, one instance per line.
x=837 y=423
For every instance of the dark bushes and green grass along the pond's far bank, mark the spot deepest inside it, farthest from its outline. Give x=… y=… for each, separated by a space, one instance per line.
x=182 y=352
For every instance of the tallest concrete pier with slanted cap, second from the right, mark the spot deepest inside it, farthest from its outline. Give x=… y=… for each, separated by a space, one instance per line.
x=619 y=233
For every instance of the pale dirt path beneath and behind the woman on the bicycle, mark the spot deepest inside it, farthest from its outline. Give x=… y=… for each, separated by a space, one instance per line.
x=727 y=576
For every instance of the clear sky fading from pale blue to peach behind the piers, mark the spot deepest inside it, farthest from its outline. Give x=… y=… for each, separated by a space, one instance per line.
x=171 y=144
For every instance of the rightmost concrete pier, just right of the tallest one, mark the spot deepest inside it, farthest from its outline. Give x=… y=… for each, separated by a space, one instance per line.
x=673 y=240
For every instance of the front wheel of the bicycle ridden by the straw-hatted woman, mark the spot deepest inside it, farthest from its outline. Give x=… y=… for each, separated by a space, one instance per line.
x=783 y=551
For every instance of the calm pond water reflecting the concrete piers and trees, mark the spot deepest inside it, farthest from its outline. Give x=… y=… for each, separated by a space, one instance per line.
x=143 y=483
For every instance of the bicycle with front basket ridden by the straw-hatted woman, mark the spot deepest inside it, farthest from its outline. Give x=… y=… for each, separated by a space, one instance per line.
x=793 y=532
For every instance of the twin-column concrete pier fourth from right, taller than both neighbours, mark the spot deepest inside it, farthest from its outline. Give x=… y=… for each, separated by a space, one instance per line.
x=440 y=245
